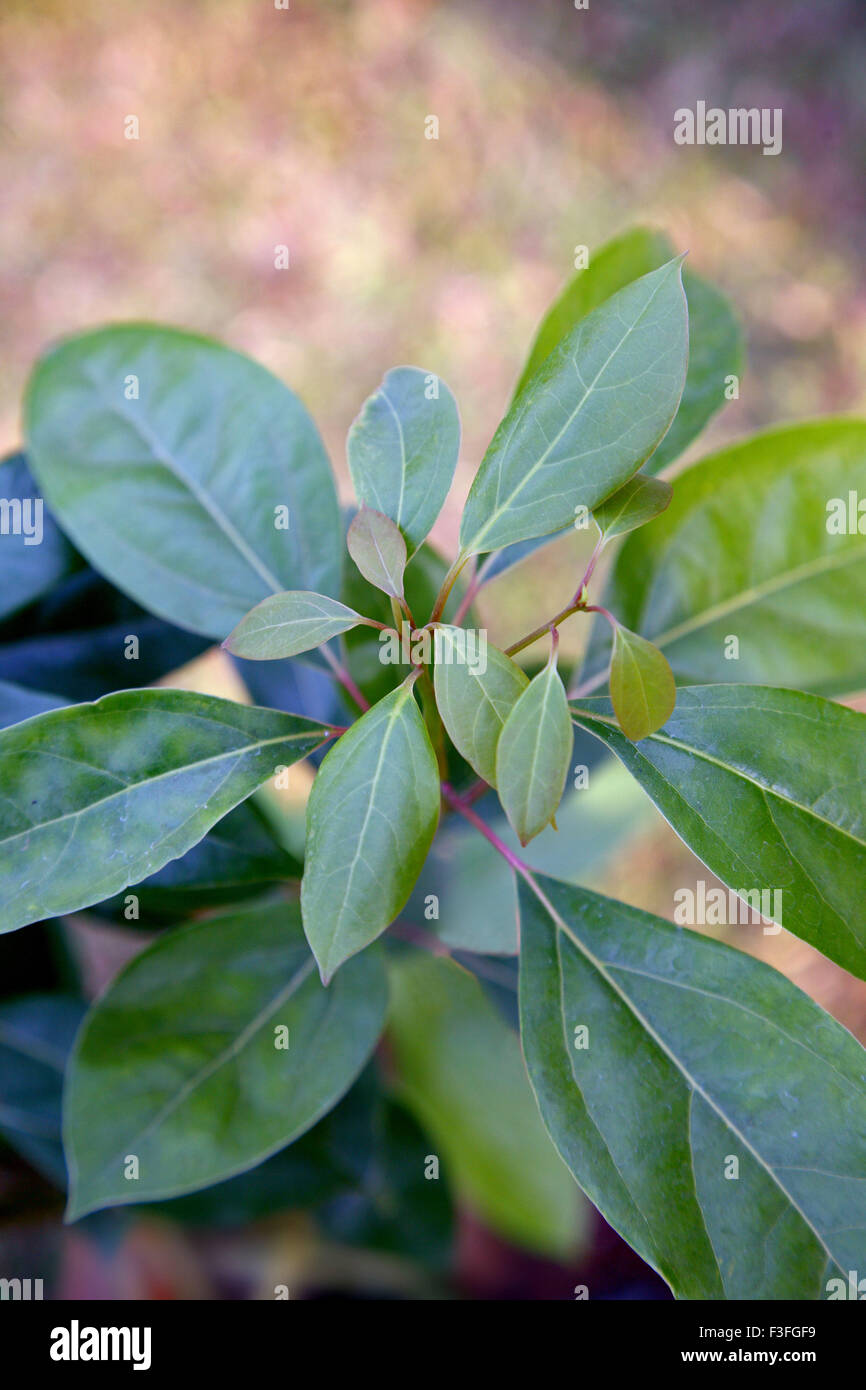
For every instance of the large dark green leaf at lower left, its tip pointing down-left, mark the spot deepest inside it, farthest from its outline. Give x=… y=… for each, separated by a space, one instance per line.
x=211 y=1052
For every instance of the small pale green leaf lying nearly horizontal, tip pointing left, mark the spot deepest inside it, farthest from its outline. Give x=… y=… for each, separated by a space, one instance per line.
x=286 y=625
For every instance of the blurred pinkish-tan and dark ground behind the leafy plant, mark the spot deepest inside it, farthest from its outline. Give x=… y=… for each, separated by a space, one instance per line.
x=307 y=129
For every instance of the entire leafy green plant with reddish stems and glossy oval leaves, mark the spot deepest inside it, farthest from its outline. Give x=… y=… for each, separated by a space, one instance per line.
x=711 y=1110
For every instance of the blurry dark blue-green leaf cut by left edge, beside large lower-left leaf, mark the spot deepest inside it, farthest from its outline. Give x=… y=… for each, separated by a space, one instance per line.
x=37 y=1033
